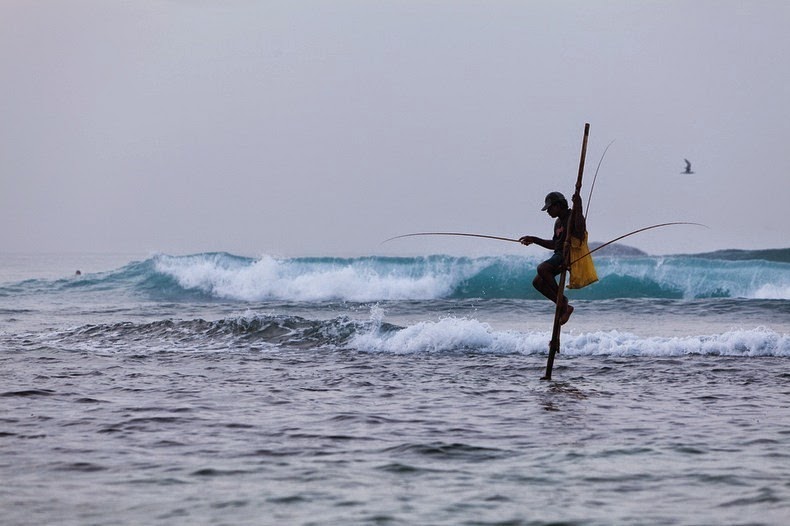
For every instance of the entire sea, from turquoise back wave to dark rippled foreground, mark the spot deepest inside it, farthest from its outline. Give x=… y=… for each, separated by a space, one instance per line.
x=219 y=389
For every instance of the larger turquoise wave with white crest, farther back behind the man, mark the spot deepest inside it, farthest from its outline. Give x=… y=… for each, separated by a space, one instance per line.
x=226 y=277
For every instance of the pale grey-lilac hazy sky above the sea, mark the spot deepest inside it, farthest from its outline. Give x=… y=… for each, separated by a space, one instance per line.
x=322 y=128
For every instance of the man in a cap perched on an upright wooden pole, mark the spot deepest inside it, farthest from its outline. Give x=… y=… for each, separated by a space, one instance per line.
x=557 y=207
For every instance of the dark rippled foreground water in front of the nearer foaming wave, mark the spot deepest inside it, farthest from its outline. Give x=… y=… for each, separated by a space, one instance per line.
x=316 y=437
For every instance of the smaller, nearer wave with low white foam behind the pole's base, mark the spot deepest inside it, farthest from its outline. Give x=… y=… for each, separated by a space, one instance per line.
x=447 y=335
